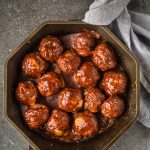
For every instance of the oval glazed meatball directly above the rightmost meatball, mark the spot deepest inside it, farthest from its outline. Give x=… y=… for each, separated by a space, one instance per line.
x=104 y=57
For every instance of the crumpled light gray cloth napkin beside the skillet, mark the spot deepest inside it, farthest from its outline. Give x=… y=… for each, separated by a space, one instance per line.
x=134 y=30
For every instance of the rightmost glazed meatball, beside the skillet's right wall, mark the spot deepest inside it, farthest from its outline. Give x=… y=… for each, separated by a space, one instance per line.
x=114 y=82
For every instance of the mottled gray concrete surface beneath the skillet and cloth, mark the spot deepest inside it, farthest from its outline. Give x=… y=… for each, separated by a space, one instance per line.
x=20 y=17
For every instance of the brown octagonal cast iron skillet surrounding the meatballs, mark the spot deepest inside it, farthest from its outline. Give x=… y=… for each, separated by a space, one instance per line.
x=13 y=69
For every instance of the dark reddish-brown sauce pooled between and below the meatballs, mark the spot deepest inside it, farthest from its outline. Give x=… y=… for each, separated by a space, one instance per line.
x=52 y=101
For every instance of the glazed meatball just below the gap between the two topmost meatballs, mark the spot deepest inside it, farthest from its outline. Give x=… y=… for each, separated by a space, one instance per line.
x=69 y=62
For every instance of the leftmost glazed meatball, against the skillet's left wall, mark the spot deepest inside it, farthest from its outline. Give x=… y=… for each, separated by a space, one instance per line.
x=26 y=93
